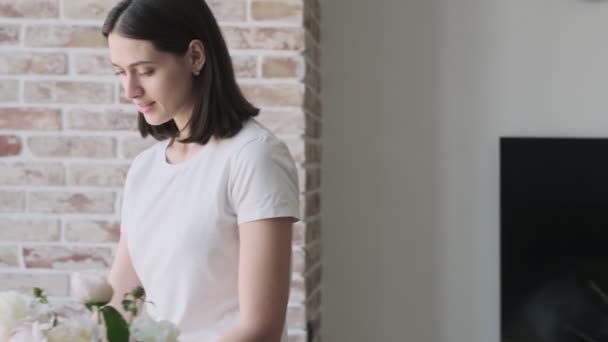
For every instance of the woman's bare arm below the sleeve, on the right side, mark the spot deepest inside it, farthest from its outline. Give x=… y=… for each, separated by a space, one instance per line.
x=264 y=266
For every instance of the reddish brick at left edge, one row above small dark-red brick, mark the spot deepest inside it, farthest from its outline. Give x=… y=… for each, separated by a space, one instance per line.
x=30 y=118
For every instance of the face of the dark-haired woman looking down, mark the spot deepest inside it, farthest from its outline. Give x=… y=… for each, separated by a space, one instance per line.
x=158 y=83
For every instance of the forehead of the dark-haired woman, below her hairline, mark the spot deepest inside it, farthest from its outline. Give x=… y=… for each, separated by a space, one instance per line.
x=125 y=51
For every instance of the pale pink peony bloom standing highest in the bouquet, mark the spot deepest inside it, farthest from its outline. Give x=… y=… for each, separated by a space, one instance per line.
x=90 y=287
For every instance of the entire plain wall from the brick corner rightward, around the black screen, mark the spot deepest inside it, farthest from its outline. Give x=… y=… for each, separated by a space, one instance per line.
x=416 y=94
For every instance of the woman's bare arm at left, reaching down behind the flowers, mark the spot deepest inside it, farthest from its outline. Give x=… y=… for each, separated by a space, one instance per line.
x=122 y=275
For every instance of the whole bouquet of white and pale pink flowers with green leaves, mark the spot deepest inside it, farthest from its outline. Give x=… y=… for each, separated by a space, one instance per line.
x=31 y=318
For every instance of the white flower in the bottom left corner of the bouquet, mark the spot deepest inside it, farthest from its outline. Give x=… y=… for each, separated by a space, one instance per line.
x=14 y=308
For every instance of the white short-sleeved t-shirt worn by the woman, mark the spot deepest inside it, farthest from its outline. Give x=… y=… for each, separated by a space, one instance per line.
x=182 y=222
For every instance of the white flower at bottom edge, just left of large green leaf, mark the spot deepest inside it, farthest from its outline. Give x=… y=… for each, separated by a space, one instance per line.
x=80 y=328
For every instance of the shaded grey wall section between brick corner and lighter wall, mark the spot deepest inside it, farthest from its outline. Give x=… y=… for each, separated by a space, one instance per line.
x=379 y=171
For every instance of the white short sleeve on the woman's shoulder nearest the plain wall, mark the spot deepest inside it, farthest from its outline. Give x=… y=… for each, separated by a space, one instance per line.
x=264 y=181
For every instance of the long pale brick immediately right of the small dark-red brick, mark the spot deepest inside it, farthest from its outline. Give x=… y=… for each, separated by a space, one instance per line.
x=76 y=147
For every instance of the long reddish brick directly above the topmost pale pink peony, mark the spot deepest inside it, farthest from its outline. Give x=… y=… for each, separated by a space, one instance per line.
x=67 y=258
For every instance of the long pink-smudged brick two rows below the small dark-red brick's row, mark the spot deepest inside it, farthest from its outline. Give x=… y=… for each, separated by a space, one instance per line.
x=71 y=202
